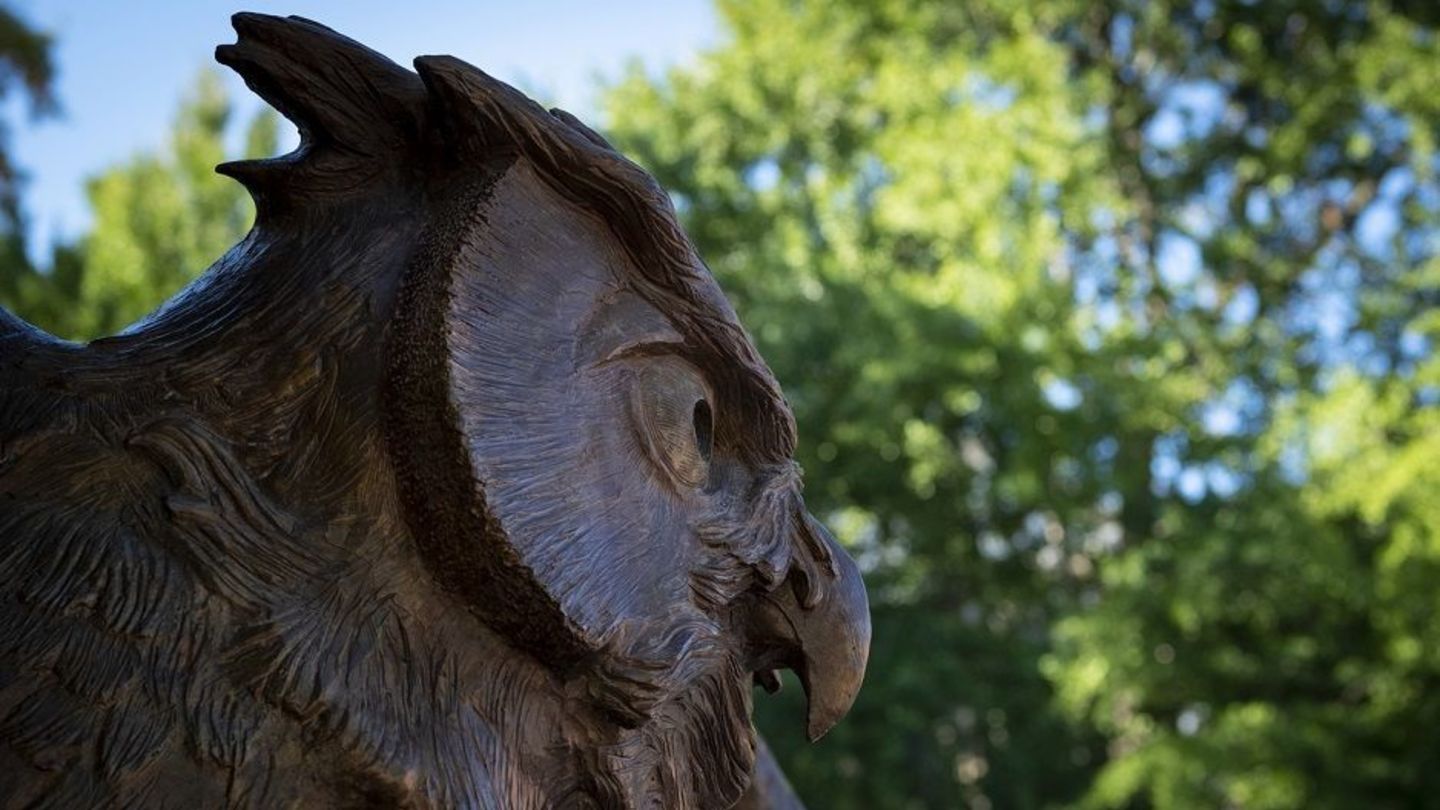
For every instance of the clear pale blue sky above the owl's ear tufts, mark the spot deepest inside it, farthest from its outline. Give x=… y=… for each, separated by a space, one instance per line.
x=125 y=66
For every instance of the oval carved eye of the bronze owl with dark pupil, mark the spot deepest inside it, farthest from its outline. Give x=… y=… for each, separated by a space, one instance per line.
x=675 y=420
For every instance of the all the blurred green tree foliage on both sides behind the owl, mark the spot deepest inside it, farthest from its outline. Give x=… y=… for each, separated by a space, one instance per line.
x=1111 y=334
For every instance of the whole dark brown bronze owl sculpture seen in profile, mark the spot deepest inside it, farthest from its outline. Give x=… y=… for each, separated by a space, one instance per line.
x=457 y=484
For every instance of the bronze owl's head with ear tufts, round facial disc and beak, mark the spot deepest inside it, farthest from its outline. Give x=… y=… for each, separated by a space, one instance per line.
x=590 y=450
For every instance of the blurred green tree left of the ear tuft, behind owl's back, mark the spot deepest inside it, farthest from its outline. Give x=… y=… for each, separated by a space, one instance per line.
x=158 y=223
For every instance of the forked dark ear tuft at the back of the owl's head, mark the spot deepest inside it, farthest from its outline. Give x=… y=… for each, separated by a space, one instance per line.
x=355 y=109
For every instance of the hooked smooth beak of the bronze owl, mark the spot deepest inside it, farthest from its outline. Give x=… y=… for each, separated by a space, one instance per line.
x=827 y=644
